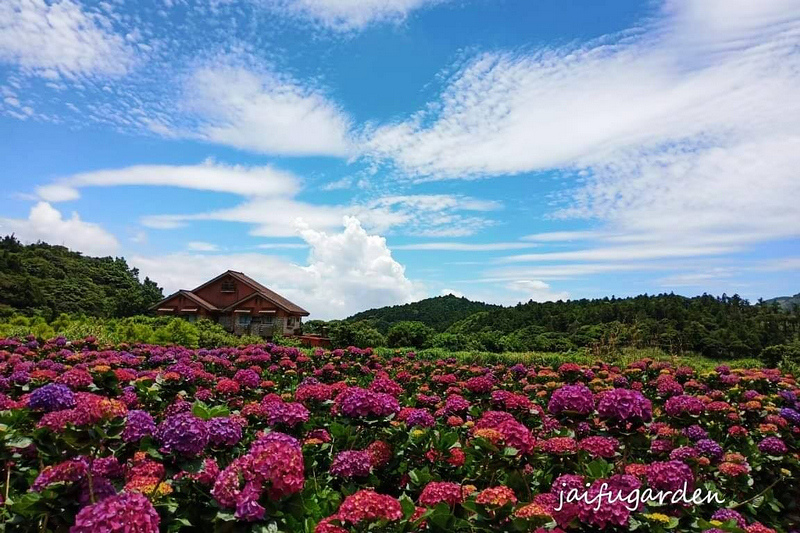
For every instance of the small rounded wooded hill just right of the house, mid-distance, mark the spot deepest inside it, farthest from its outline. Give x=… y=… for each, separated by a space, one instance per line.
x=438 y=313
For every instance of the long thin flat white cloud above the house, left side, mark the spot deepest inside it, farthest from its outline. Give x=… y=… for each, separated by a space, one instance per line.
x=209 y=176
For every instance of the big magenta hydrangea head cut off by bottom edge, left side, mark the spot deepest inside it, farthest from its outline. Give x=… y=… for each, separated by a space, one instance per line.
x=129 y=512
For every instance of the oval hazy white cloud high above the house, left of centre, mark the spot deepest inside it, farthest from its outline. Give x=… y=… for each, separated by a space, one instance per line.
x=240 y=103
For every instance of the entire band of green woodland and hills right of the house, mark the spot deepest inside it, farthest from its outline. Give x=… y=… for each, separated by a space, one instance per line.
x=724 y=327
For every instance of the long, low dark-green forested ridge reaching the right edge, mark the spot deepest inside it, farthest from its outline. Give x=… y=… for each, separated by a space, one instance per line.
x=713 y=326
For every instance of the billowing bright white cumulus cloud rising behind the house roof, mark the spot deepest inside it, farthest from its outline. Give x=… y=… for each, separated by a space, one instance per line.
x=346 y=272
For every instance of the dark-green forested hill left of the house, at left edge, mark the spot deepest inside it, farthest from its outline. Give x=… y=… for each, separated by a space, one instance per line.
x=50 y=280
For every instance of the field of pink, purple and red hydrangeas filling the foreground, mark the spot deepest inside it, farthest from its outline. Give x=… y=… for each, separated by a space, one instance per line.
x=267 y=438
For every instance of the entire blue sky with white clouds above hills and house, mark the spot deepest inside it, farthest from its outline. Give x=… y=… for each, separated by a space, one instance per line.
x=352 y=154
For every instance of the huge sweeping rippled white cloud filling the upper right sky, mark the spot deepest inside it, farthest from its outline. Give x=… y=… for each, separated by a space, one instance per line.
x=682 y=135
